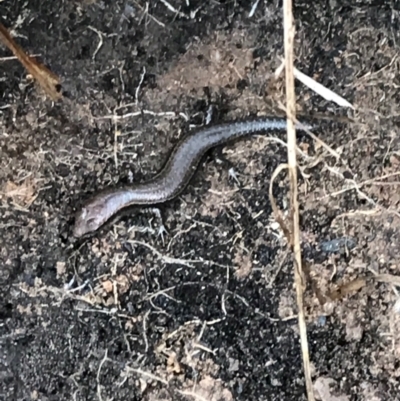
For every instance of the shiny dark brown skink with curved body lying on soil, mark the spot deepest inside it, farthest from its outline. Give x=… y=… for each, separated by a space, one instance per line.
x=174 y=177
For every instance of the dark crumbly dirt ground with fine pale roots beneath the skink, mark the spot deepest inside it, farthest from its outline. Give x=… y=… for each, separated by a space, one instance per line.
x=207 y=312
